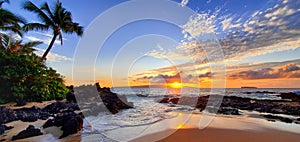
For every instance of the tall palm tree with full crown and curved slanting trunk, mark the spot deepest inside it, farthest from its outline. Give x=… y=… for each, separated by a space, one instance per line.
x=58 y=20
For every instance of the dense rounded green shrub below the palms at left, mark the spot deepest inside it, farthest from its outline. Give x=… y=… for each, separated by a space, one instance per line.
x=24 y=78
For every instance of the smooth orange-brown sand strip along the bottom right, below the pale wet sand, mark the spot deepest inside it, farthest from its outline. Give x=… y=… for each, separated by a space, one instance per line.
x=217 y=135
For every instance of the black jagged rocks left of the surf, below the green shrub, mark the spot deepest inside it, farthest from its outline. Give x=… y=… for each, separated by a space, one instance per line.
x=63 y=114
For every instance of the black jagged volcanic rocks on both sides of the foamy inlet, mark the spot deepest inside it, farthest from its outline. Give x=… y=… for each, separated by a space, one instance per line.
x=68 y=117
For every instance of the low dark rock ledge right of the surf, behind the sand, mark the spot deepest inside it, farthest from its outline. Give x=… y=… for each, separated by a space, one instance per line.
x=231 y=105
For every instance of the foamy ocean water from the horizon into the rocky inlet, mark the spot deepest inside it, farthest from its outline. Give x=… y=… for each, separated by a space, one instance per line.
x=147 y=110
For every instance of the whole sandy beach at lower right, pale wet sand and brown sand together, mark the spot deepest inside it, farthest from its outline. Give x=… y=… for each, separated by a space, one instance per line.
x=222 y=128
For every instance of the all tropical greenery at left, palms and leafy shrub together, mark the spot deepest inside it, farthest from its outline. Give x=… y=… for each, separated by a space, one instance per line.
x=23 y=77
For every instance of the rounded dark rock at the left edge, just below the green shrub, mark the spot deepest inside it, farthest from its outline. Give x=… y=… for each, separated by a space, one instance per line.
x=6 y=115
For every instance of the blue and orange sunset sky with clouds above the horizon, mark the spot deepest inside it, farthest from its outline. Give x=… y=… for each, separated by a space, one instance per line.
x=199 y=43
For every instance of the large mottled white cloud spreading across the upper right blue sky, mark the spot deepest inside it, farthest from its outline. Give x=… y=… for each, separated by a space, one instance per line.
x=264 y=31
